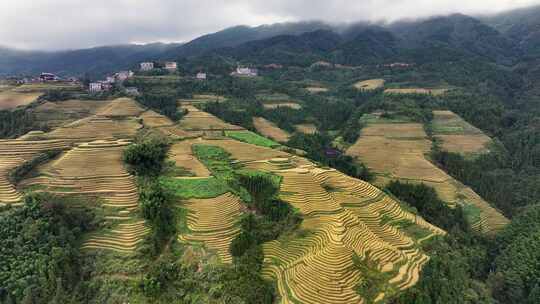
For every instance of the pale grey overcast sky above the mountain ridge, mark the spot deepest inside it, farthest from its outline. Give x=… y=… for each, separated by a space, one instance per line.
x=63 y=24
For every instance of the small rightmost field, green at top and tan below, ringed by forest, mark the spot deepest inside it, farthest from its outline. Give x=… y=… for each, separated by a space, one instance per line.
x=457 y=135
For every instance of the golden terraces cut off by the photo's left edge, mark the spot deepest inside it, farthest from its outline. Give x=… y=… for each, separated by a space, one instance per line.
x=13 y=153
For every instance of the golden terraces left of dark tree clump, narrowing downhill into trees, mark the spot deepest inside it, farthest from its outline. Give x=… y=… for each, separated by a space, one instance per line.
x=96 y=169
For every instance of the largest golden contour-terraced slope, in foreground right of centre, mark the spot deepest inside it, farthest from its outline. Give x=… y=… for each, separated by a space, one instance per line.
x=343 y=222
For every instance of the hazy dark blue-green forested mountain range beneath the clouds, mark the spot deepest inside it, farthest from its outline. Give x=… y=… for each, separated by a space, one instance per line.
x=502 y=39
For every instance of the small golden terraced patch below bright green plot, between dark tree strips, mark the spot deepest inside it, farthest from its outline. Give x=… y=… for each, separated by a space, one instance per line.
x=213 y=222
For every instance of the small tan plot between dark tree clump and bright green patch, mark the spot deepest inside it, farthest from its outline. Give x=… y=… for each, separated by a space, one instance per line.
x=181 y=153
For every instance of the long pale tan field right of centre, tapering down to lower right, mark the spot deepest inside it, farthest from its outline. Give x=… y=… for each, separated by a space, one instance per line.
x=397 y=151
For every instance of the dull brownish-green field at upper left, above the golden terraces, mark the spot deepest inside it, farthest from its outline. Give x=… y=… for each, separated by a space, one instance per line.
x=58 y=113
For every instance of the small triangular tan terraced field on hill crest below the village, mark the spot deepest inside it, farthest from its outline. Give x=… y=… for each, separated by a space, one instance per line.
x=197 y=120
